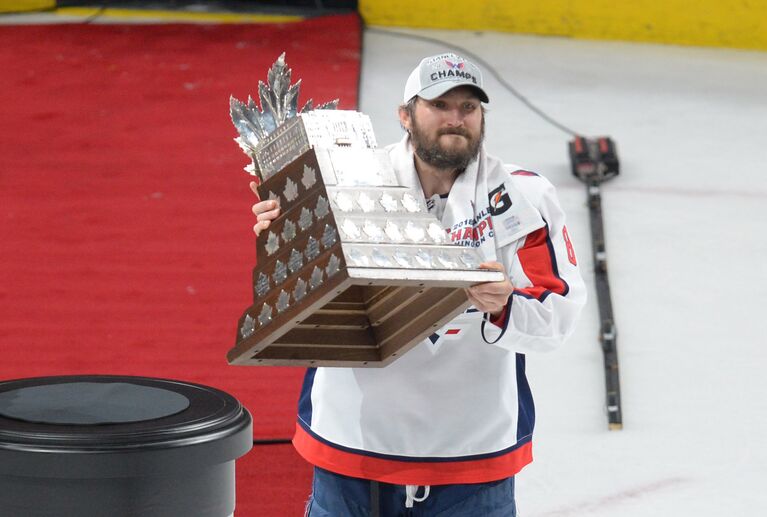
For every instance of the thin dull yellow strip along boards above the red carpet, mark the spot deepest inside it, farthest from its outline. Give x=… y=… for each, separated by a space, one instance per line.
x=181 y=16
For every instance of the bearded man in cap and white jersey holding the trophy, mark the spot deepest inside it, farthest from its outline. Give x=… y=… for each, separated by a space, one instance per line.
x=444 y=429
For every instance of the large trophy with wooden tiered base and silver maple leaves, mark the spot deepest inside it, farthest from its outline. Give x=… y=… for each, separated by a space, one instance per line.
x=354 y=271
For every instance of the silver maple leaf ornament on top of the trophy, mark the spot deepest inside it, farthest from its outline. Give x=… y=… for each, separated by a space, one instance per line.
x=279 y=103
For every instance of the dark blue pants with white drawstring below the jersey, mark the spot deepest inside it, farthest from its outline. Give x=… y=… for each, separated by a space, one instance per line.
x=334 y=495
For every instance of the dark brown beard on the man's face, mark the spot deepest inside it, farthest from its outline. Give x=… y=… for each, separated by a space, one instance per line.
x=432 y=152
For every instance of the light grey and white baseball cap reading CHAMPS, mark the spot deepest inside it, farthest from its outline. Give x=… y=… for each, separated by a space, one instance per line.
x=437 y=74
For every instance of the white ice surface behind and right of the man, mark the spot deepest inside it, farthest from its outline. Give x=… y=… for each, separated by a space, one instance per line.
x=686 y=236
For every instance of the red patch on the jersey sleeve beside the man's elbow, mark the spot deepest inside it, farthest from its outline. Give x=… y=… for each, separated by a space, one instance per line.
x=539 y=264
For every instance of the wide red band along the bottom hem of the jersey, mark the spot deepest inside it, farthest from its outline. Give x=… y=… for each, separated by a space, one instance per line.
x=410 y=472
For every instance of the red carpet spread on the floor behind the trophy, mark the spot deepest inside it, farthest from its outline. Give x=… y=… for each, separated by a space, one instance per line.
x=126 y=225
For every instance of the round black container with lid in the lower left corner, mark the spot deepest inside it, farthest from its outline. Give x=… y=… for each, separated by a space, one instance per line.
x=113 y=446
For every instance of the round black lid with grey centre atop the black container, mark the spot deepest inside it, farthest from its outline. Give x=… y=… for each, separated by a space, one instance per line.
x=116 y=425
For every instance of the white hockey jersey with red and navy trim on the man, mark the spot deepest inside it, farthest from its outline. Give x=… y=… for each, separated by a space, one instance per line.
x=457 y=408
